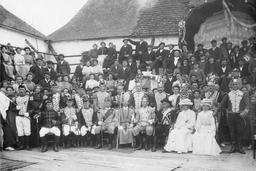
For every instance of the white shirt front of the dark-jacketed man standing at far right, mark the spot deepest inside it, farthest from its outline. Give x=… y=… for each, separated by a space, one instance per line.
x=235 y=98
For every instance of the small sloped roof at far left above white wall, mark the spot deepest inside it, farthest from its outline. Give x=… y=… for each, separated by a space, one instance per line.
x=12 y=22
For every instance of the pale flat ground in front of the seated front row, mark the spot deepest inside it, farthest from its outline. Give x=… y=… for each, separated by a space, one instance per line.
x=123 y=159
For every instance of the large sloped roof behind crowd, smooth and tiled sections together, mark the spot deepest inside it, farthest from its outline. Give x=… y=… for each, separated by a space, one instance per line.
x=121 y=18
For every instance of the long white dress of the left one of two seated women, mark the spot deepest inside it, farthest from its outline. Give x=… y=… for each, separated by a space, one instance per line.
x=180 y=138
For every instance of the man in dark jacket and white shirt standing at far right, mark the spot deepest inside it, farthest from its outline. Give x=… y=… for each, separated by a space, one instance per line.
x=237 y=106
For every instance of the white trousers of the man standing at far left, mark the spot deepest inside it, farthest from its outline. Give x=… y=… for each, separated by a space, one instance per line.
x=23 y=126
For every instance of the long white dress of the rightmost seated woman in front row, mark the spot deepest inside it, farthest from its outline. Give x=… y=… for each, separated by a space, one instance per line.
x=204 y=141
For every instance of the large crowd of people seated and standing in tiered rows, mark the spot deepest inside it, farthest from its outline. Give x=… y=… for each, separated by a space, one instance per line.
x=151 y=97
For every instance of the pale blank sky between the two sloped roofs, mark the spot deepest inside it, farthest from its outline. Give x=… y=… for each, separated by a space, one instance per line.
x=44 y=15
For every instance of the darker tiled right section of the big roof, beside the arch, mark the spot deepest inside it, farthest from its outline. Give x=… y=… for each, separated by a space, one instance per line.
x=162 y=19
